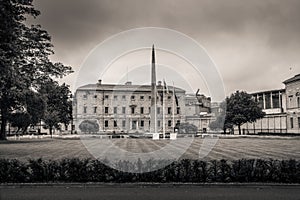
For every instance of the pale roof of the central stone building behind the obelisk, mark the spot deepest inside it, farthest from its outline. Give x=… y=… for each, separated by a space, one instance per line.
x=126 y=87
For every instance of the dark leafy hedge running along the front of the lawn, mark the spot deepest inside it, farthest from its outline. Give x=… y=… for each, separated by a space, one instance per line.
x=196 y=171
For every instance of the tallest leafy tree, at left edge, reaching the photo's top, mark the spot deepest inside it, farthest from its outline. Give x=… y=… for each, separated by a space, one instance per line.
x=24 y=56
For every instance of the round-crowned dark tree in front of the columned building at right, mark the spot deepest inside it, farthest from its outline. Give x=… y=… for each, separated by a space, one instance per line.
x=240 y=108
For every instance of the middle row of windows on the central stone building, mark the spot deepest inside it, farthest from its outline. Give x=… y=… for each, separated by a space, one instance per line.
x=132 y=110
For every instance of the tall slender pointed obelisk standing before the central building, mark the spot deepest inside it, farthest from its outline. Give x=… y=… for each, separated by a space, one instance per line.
x=153 y=114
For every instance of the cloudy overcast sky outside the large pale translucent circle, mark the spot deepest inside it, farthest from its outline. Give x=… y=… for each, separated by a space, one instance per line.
x=254 y=43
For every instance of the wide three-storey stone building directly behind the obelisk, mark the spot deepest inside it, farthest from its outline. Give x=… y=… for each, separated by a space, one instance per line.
x=126 y=108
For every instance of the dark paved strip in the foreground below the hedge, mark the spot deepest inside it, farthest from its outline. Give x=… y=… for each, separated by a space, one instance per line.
x=147 y=192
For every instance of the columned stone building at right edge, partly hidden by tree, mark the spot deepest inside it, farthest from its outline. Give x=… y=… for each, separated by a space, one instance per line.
x=282 y=108
